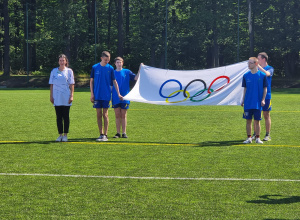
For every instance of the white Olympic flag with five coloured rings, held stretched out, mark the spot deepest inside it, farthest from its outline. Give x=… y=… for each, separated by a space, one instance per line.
x=217 y=86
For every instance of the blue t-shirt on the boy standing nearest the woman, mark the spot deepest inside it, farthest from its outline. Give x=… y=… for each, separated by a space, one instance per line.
x=103 y=79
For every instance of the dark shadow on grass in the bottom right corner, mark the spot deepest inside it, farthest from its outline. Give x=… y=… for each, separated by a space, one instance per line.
x=276 y=199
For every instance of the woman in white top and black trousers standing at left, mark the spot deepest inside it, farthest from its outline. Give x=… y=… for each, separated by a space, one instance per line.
x=61 y=95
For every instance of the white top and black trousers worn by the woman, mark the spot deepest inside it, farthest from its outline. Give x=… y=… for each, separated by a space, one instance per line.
x=61 y=81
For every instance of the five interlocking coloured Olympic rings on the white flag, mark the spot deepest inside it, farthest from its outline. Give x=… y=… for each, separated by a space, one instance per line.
x=187 y=94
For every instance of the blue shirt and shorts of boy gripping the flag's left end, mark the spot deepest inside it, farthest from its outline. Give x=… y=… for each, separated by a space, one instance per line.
x=122 y=78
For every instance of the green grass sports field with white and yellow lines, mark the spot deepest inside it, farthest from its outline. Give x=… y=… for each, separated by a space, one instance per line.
x=178 y=162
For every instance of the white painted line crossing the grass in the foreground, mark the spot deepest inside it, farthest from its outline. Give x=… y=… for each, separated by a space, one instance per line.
x=149 y=178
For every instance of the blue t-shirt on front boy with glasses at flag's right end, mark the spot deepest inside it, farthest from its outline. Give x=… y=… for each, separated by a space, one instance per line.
x=255 y=84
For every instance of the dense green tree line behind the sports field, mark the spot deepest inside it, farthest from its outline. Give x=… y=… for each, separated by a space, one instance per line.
x=173 y=34
